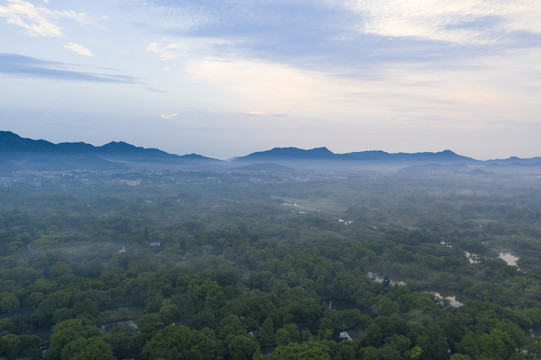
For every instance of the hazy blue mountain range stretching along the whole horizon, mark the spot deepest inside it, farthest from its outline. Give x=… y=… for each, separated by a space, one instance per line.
x=17 y=153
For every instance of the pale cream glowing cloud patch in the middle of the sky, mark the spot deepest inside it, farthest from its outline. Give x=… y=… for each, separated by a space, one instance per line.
x=273 y=88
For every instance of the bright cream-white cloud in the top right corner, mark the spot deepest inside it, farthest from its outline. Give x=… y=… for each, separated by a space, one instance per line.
x=445 y=20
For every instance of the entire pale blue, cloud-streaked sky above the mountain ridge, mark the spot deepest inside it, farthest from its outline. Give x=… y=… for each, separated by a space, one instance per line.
x=230 y=77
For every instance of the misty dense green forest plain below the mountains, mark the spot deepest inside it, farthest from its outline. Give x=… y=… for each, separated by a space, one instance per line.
x=255 y=265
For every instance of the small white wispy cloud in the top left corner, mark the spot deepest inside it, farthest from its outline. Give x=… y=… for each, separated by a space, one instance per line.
x=36 y=20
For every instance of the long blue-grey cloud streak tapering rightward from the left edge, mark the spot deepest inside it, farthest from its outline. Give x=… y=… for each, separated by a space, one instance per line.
x=25 y=66
